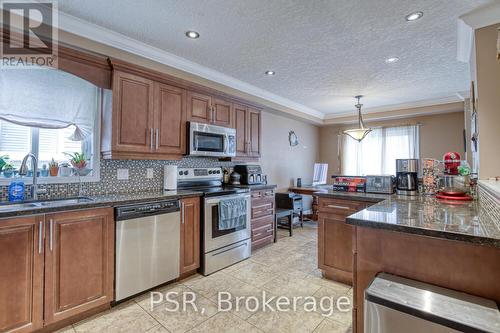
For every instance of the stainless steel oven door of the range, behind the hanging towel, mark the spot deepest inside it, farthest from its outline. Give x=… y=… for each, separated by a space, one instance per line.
x=214 y=238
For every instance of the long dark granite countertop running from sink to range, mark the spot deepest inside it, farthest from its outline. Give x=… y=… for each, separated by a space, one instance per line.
x=111 y=200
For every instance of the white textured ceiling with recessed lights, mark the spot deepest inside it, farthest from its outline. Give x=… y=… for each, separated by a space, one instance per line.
x=323 y=51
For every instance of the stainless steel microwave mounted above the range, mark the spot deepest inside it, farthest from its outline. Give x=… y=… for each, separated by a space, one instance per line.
x=211 y=140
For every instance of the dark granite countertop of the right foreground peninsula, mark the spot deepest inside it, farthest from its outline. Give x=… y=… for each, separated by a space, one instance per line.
x=427 y=216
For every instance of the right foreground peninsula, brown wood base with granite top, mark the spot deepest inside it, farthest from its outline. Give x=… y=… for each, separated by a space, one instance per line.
x=456 y=246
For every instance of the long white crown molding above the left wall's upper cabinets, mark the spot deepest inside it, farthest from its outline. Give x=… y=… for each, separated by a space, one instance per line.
x=111 y=38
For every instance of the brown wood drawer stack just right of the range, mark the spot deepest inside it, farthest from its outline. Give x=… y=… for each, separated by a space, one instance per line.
x=262 y=218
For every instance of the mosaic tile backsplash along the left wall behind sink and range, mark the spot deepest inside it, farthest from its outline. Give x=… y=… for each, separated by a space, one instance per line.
x=109 y=182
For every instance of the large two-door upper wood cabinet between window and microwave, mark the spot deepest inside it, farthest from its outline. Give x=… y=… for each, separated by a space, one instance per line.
x=147 y=121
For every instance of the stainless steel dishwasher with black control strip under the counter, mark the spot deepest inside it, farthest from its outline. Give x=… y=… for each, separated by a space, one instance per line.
x=147 y=246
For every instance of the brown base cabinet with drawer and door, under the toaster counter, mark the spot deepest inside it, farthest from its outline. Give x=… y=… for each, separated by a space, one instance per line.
x=335 y=254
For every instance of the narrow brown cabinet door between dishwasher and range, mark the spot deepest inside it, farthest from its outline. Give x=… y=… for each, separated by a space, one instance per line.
x=190 y=235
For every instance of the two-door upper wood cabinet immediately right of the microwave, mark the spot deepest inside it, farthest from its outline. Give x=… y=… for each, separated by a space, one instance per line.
x=248 y=132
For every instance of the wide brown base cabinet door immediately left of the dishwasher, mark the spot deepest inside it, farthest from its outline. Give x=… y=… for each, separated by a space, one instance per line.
x=79 y=262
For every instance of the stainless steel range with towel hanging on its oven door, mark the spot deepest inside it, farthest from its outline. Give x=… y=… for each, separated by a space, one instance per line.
x=222 y=246
